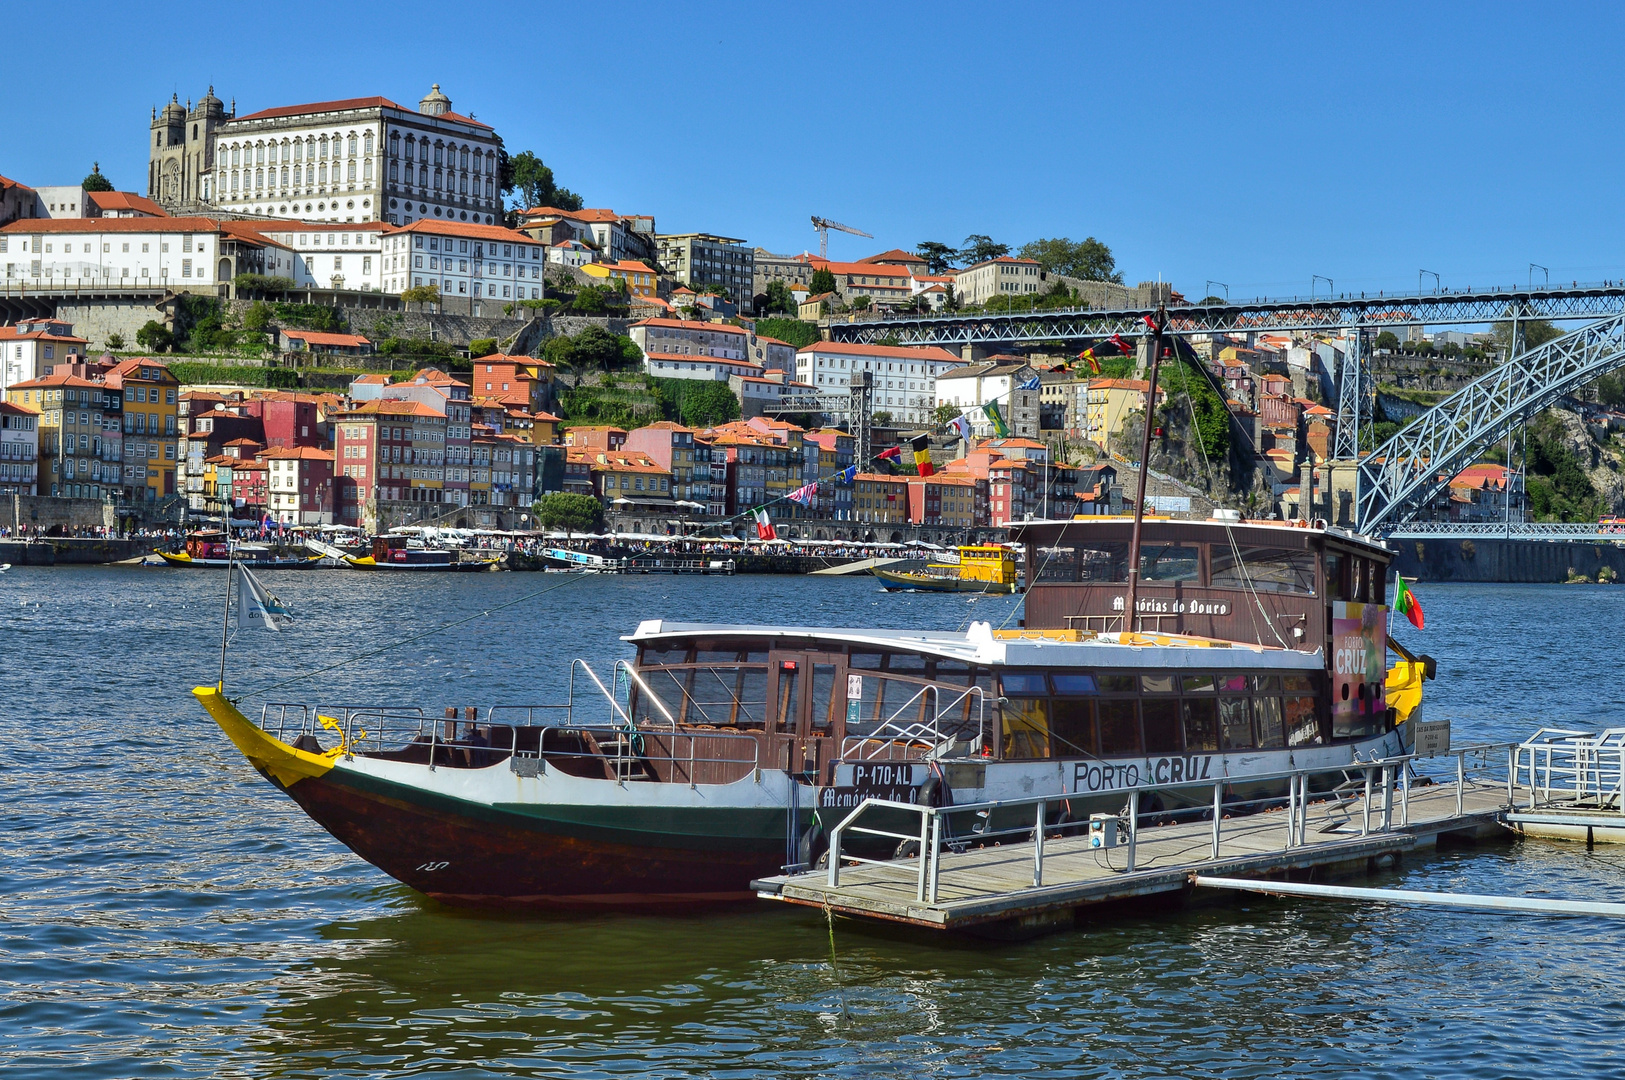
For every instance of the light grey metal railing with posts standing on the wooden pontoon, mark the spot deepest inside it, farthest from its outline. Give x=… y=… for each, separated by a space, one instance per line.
x=1380 y=787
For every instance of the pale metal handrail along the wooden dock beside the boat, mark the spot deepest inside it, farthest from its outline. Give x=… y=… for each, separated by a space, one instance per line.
x=1385 y=779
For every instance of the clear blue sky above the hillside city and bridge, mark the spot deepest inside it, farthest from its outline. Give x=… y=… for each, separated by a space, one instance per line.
x=1252 y=145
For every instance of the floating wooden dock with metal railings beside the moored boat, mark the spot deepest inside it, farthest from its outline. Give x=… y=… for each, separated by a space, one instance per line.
x=1042 y=875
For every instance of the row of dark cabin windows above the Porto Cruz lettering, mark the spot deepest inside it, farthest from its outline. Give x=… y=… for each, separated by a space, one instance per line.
x=1116 y=714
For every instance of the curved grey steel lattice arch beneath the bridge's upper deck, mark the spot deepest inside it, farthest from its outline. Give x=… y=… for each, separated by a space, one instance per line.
x=1410 y=470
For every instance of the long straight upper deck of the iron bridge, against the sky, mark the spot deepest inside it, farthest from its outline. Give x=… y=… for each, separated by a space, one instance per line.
x=1483 y=306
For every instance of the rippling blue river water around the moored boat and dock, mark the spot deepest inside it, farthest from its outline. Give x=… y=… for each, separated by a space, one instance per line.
x=167 y=914
